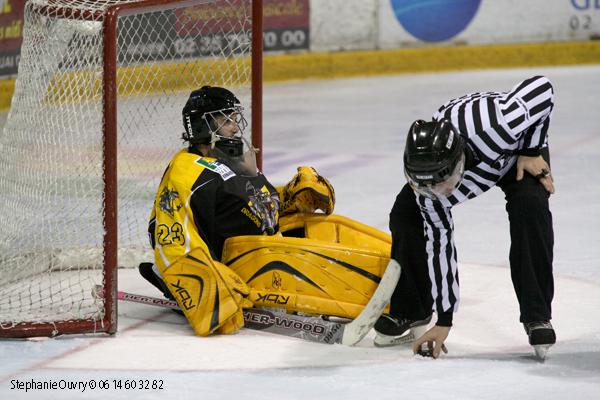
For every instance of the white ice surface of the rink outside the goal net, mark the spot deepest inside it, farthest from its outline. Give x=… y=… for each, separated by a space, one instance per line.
x=352 y=131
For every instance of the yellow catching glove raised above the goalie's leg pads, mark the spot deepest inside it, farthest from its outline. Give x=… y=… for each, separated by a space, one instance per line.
x=307 y=192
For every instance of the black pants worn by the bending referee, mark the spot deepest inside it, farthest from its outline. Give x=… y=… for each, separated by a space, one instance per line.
x=531 y=250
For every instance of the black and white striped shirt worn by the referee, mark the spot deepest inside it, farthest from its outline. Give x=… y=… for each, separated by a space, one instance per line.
x=497 y=125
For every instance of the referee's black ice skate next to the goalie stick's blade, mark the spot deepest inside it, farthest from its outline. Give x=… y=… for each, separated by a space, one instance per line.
x=392 y=331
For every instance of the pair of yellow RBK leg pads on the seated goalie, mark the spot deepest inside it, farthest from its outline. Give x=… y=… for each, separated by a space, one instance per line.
x=334 y=274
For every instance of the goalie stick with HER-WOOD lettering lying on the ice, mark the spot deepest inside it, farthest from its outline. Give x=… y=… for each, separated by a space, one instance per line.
x=311 y=328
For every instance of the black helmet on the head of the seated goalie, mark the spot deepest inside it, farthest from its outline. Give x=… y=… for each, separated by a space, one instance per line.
x=199 y=109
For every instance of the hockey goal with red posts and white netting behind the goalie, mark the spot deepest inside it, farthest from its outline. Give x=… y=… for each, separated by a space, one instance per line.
x=94 y=120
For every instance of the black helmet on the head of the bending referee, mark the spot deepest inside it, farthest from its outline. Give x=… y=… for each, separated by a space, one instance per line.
x=433 y=150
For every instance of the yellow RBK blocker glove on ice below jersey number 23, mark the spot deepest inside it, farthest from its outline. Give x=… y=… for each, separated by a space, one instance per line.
x=210 y=294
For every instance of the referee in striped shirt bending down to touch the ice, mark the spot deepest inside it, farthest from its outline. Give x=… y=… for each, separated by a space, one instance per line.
x=473 y=143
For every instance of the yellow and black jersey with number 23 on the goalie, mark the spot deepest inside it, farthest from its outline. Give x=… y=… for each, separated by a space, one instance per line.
x=201 y=202
